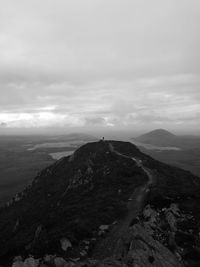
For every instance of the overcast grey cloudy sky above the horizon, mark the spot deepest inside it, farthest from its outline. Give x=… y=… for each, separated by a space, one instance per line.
x=100 y=64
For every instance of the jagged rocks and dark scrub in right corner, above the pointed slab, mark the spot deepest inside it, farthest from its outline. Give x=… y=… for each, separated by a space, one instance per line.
x=175 y=228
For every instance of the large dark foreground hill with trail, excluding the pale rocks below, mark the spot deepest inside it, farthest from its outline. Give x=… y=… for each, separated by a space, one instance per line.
x=76 y=195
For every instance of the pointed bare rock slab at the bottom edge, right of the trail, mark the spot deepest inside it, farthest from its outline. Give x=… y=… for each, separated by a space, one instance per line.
x=139 y=249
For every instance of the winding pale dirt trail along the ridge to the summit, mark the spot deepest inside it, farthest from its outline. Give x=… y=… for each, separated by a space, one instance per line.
x=112 y=243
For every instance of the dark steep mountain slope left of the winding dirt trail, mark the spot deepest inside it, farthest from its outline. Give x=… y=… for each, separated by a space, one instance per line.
x=70 y=198
